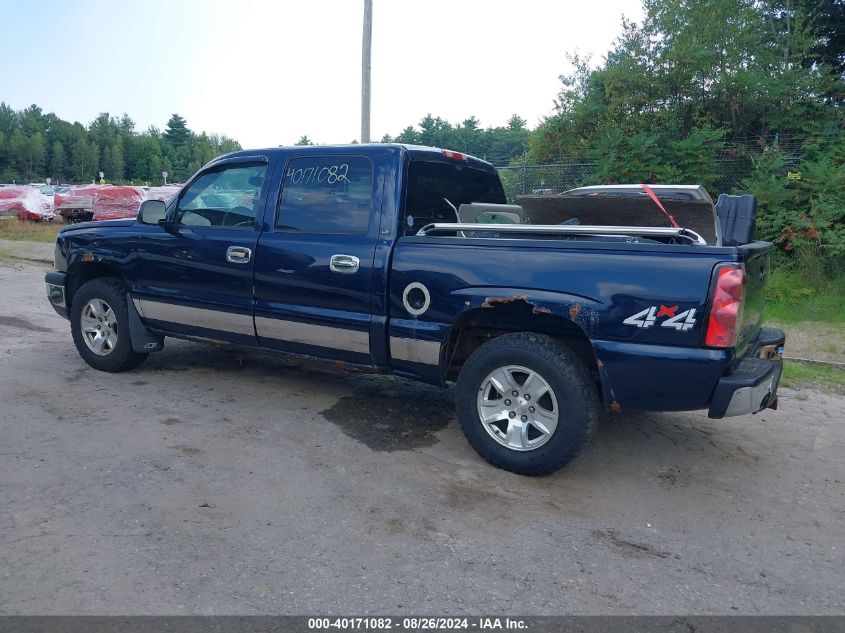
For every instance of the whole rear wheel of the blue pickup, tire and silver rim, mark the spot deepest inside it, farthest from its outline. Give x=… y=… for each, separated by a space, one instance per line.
x=526 y=403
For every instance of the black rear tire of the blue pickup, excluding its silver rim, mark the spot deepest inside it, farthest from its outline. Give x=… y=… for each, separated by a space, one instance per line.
x=562 y=370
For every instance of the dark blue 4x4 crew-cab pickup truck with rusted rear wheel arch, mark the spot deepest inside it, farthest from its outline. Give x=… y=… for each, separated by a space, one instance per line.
x=407 y=260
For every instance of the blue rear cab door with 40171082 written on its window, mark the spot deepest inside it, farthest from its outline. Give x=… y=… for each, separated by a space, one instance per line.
x=314 y=263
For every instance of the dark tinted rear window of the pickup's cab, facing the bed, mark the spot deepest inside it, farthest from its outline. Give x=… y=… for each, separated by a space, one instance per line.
x=431 y=183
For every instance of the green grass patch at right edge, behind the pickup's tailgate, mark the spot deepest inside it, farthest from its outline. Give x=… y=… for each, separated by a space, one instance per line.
x=792 y=297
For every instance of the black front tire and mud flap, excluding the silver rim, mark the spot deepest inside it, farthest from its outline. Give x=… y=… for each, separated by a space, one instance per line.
x=111 y=291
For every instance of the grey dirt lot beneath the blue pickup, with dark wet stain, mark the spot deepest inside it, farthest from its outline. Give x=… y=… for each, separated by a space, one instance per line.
x=208 y=483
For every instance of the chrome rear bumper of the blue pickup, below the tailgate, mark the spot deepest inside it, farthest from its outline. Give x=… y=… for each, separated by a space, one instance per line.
x=753 y=384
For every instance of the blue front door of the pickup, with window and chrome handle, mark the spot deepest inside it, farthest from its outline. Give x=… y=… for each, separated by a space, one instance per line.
x=197 y=280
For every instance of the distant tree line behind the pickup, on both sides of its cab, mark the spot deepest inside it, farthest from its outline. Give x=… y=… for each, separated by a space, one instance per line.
x=35 y=146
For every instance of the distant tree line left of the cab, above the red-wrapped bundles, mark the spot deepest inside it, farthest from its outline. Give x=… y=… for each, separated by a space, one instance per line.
x=35 y=146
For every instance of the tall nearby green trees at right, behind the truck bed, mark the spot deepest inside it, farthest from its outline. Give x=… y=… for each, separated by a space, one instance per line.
x=696 y=82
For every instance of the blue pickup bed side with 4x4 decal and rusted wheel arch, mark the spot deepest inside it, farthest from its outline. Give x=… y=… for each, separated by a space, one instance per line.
x=592 y=285
